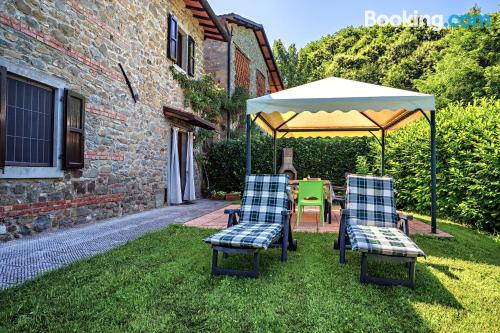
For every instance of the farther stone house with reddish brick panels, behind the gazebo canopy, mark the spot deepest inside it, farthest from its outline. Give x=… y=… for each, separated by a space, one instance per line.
x=246 y=60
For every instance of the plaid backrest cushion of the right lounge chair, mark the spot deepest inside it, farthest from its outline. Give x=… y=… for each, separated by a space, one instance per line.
x=370 y=201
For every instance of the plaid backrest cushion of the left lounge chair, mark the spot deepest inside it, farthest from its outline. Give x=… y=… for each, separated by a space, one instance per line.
x=264 y=198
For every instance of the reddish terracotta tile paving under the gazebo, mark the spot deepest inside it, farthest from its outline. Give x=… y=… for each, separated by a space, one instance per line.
x=310 y=222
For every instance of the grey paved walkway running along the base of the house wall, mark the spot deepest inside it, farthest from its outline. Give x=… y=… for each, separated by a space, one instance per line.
x=23 y=259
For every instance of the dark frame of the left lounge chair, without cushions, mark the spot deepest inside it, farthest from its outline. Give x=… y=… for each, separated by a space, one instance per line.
x=285 y=241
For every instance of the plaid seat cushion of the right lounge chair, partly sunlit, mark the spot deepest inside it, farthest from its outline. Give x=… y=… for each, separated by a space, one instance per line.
x=382 y=240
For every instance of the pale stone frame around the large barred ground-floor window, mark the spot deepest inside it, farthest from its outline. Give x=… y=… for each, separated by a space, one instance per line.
x=55 y=171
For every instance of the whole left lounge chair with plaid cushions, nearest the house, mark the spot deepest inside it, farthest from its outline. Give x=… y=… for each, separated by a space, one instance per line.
x=264 y=221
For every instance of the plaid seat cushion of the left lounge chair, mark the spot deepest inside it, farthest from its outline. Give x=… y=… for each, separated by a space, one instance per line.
x=248 y=235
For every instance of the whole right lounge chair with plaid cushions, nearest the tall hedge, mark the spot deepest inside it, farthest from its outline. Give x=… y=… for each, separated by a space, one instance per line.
x=369 y=224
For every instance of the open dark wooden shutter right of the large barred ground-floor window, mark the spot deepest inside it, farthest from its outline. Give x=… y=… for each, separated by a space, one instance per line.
x=74 y=130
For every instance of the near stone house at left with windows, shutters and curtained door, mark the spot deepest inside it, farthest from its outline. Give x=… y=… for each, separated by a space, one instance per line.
x=92 y=123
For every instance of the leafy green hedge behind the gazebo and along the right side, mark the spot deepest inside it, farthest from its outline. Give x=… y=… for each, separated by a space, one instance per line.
x=468 y=162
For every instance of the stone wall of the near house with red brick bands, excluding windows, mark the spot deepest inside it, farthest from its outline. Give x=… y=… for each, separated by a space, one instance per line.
x=127 y=144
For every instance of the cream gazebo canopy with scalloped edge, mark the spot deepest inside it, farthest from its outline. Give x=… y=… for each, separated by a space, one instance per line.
x=337 y=107
